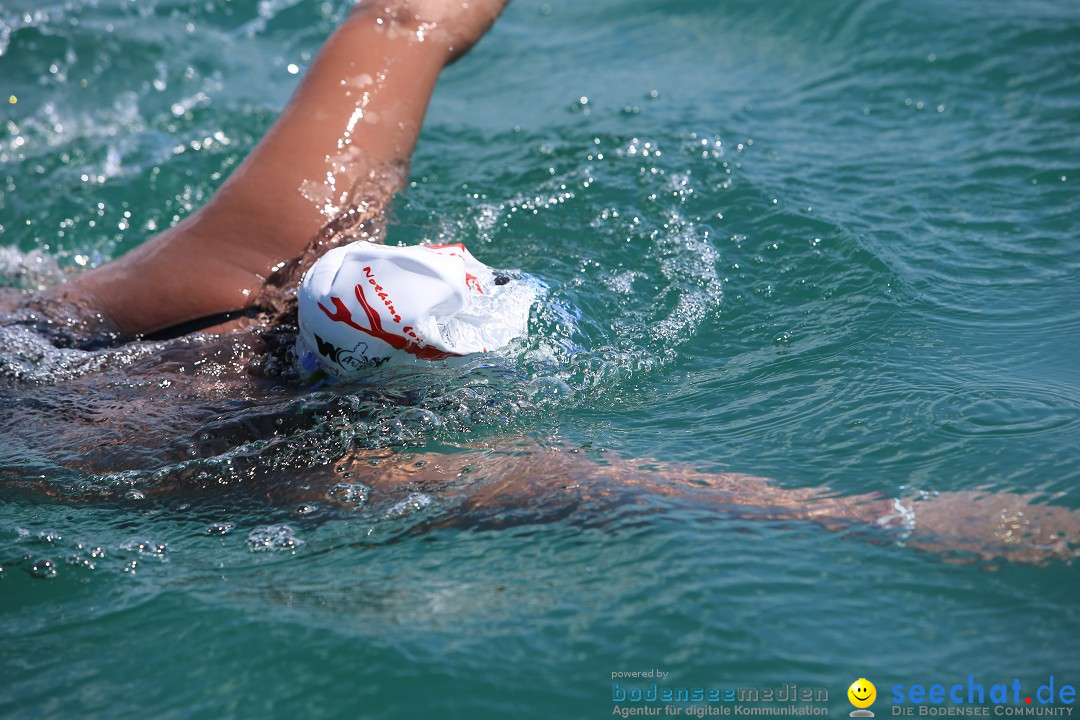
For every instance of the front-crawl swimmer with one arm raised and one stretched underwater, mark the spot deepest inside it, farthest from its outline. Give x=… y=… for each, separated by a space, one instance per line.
x=205 y=316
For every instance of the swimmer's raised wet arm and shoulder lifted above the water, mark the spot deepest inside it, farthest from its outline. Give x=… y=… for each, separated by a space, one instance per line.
x=353 y=124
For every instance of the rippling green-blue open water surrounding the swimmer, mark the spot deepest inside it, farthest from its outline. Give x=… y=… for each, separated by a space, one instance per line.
x=830 y=244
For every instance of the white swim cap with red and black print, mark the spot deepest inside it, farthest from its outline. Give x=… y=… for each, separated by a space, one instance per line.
x=362 y=305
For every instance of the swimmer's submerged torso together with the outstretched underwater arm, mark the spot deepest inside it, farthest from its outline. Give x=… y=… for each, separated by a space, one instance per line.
x=209 y=417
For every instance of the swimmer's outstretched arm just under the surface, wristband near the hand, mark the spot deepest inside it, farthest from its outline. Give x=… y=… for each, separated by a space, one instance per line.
x=523 y=482
